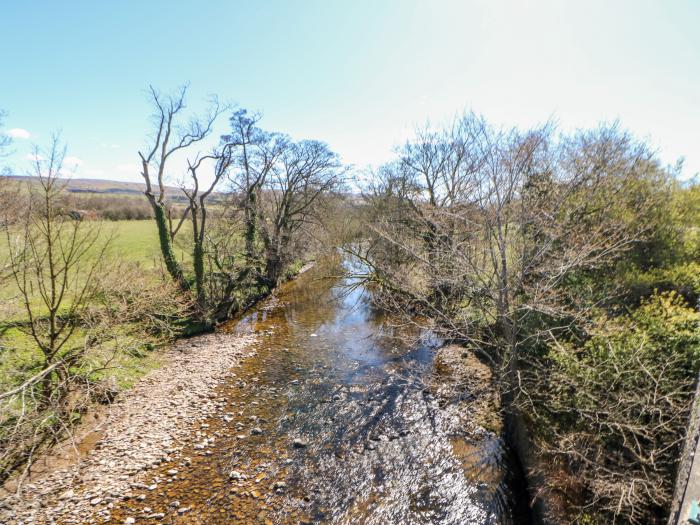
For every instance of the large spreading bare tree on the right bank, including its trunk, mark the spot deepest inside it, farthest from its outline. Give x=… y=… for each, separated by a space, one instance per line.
x=501 y=237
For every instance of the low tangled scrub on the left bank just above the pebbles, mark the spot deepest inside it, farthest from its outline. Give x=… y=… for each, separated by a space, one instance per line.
x=132 y=312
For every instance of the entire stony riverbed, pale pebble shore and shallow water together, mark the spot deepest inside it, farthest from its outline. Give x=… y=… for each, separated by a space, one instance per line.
x=340 y=417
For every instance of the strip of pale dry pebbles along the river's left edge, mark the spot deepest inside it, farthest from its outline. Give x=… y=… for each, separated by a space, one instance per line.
x=139 y=437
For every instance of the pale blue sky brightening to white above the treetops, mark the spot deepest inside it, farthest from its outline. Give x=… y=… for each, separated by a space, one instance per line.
x=357 y=74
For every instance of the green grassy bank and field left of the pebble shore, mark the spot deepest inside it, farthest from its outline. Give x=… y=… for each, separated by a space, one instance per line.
x=132 y=310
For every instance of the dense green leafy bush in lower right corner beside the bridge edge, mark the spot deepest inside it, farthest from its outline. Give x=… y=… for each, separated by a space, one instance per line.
x=612 y=411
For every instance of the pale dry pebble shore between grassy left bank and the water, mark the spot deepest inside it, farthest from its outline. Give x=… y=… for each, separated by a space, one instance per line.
x=145 y=427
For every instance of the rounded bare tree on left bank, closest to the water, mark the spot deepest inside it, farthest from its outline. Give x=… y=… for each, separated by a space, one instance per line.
x=280 y=183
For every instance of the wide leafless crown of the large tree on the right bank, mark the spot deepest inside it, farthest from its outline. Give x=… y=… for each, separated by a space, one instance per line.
x=502 y=220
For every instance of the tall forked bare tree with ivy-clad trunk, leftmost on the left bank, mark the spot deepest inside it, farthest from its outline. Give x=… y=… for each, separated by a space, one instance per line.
x=170 y=137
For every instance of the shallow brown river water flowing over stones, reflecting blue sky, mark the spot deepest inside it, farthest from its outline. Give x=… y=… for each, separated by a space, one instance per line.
x=332 y=421
